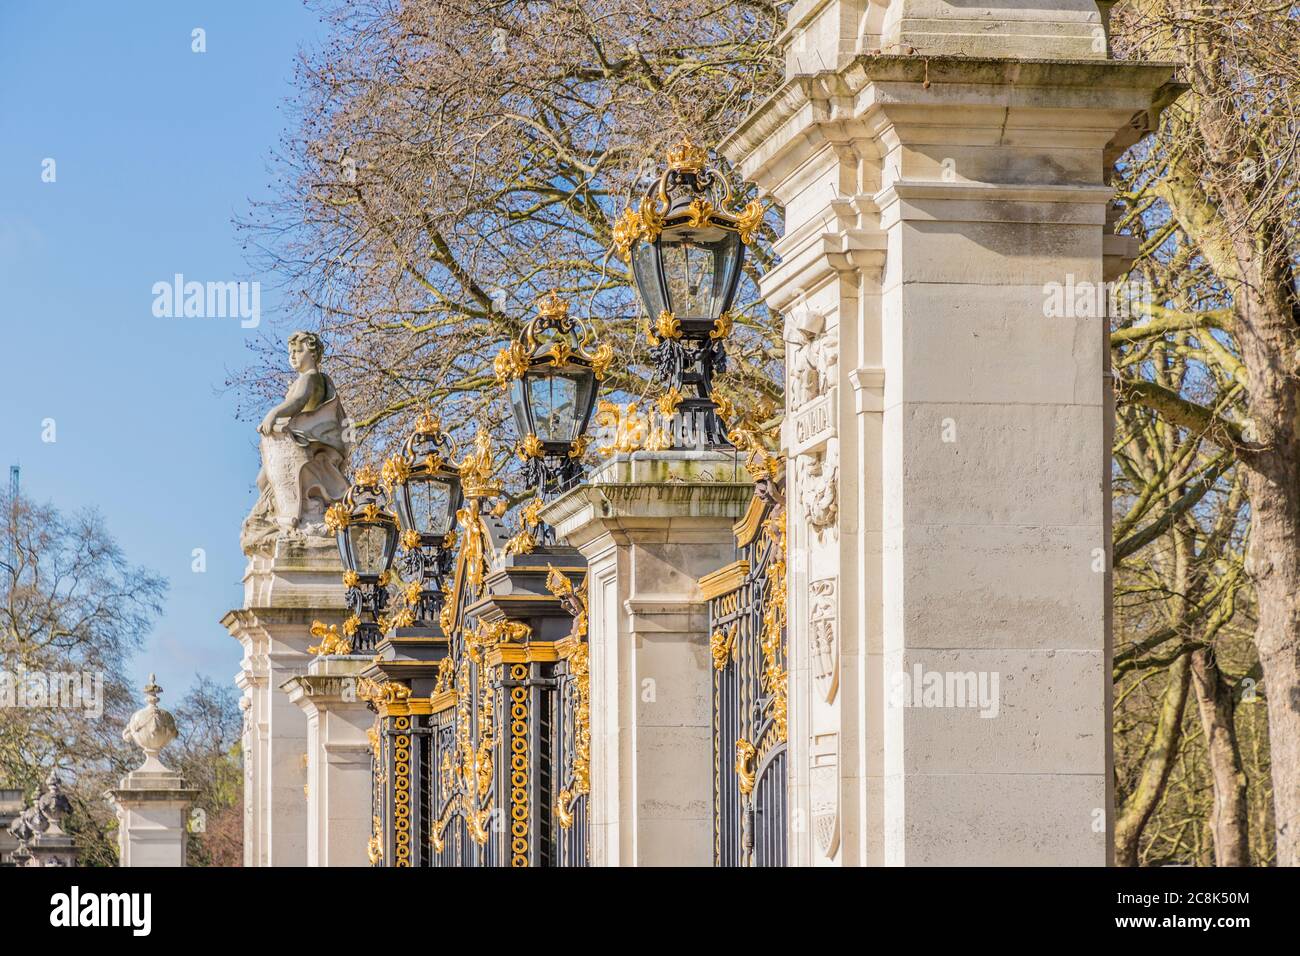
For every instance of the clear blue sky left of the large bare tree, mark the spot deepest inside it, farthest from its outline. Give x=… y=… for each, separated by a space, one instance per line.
x=157 y=149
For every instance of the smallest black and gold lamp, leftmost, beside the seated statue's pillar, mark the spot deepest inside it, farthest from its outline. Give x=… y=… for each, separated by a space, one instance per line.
x=367 y=539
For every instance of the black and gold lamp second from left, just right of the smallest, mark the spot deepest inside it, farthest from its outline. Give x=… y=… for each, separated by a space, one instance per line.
x=426 y=487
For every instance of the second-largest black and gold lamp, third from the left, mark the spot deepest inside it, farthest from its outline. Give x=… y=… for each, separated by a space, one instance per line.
x=552 y=378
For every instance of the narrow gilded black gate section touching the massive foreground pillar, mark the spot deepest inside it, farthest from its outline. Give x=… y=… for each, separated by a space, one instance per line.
x=747 y=622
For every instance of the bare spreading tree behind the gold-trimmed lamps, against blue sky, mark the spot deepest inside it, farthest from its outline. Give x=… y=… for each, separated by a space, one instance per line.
x=453 y=161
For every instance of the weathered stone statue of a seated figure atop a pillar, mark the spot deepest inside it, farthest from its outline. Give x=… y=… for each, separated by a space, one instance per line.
x=304 y=455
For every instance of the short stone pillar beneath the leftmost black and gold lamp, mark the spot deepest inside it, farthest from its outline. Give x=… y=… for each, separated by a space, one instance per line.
x=339 y=760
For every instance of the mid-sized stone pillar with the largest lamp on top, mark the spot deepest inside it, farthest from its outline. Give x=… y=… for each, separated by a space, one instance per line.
x=651 y=525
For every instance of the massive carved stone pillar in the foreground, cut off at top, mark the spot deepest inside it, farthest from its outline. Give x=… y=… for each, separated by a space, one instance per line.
x=942 y=174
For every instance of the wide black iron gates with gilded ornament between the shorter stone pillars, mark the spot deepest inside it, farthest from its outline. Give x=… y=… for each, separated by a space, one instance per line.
x=483 y=724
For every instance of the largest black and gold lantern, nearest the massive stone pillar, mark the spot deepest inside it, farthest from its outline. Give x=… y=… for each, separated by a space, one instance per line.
x=687 y=253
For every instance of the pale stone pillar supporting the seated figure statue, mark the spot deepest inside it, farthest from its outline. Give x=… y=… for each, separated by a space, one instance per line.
x=297 y=582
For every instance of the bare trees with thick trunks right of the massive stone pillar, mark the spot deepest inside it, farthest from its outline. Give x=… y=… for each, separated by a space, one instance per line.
x=1215 y=354
